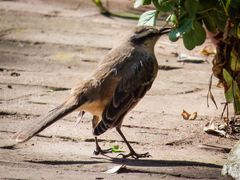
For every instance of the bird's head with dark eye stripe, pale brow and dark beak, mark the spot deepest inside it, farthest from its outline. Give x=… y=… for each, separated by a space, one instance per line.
x=147 y=35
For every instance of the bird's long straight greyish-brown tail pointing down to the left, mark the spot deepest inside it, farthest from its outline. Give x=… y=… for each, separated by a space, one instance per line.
x=40 y=124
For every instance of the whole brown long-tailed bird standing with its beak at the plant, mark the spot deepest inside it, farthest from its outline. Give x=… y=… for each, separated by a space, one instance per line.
x=118 y=83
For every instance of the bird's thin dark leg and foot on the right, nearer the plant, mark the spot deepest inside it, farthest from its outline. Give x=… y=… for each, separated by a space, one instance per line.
x=132 y=153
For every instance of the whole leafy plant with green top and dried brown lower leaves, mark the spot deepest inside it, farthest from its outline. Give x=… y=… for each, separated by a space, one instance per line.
x=191 y=20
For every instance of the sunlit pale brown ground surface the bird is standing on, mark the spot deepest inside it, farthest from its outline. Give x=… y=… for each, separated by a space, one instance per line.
x=47 y=47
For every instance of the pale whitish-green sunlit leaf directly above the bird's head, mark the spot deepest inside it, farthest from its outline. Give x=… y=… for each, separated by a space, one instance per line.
x=148 y=18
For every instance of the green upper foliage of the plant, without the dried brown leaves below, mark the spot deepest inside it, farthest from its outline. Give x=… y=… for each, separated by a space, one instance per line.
x=189 y=17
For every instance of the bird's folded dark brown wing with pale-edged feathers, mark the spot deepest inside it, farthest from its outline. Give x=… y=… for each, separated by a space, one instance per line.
x=137 y=76
